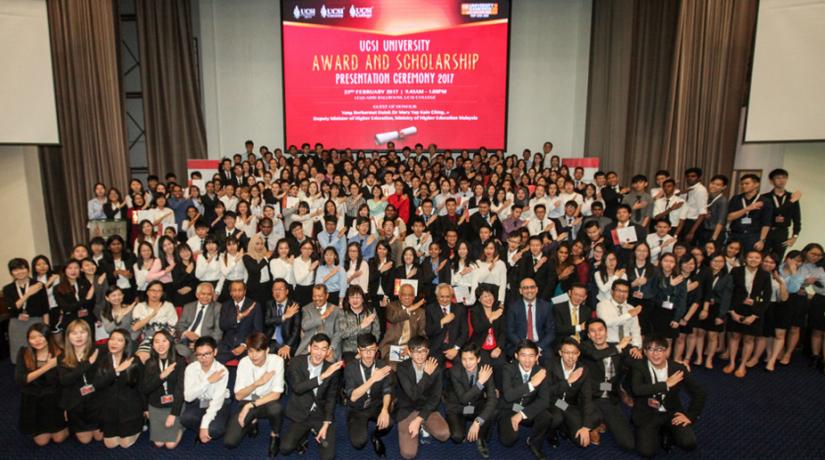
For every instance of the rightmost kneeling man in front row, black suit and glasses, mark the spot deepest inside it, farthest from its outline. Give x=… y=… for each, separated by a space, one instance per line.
x=657 y=384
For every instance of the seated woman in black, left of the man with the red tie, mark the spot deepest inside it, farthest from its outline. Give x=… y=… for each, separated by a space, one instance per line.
x=489 y=328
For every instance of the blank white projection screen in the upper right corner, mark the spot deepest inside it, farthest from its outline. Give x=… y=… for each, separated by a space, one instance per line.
x=787 y=97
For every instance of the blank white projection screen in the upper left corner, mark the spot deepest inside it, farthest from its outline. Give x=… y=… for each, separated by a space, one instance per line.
x=28 y=114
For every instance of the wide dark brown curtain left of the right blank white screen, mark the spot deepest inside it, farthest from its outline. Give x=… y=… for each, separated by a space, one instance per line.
x=666 y=85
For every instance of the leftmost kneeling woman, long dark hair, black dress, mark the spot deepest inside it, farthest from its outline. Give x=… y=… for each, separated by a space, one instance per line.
x=36 y=373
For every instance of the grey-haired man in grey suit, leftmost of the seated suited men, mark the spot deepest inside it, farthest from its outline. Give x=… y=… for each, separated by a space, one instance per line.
x=200 y=318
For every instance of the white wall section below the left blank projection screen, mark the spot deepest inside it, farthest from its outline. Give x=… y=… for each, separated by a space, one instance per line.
x=25 y=233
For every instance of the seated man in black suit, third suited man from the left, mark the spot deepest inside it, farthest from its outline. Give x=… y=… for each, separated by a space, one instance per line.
x=282 y=321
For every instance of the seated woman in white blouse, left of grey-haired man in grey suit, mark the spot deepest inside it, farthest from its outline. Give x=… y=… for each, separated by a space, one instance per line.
x=151 y=316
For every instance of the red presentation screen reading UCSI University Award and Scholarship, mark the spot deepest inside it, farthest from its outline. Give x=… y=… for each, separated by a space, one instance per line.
x=363 y=73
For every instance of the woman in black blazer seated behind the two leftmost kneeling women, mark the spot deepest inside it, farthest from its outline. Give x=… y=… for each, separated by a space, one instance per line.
x=75 y=296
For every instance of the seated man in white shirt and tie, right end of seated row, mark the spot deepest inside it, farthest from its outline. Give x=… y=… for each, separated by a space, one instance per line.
x=622 y=319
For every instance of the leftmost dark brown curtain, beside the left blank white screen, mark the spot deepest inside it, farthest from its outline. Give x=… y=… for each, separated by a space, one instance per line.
x=90 y=117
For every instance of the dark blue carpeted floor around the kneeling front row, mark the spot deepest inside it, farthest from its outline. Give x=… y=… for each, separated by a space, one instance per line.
x=764 y=416
